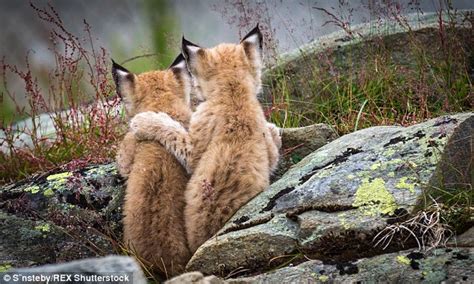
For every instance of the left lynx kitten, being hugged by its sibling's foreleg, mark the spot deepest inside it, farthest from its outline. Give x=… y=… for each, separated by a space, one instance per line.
x=154 y=200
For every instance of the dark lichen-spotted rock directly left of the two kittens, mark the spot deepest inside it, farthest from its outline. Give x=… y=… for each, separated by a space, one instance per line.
x=61 y=216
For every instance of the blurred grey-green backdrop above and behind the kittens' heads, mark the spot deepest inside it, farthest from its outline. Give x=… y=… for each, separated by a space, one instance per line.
x=130 y=28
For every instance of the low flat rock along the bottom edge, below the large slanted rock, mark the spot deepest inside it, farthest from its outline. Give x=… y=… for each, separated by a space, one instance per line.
x=408 y=266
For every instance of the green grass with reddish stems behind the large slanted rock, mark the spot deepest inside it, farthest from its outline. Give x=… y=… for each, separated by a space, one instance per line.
x=355 y=90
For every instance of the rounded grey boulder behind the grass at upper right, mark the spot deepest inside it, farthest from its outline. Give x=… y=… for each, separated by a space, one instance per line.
x=346 y=52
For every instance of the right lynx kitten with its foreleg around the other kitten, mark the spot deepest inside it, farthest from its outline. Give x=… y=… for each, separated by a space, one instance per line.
x=230 y=149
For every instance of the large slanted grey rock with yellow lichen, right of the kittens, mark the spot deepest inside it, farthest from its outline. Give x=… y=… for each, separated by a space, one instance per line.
x=332 y=203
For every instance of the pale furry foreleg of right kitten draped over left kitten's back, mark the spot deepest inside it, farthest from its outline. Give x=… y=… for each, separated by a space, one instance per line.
x=167 y=131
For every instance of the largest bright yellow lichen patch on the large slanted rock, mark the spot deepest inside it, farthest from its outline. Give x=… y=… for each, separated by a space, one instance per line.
x=373 y=198
